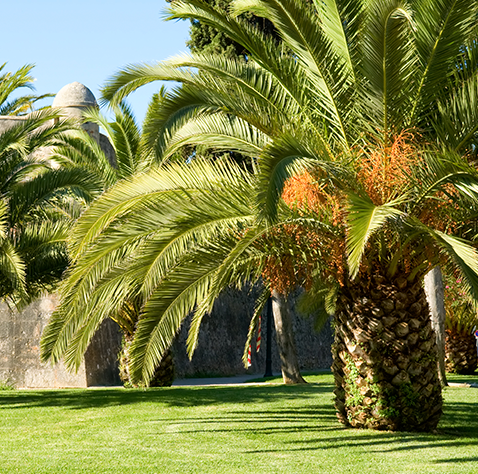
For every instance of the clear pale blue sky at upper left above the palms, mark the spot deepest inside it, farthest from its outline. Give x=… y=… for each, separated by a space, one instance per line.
x=88 y=41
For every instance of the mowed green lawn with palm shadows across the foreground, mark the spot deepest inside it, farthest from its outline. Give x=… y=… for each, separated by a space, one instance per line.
x=239 y=429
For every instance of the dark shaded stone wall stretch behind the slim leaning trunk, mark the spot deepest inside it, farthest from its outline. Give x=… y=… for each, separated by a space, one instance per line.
x=223 y=334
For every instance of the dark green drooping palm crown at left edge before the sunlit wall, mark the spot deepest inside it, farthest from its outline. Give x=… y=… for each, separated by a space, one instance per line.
x=39 y=199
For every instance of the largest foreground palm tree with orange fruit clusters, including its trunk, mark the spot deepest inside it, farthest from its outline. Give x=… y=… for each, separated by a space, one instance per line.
x=376 y=100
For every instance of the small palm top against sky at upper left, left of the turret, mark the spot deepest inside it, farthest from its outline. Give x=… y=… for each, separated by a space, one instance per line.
x=10 y=82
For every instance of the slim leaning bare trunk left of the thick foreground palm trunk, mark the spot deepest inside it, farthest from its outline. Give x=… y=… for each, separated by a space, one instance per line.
x=285 y=339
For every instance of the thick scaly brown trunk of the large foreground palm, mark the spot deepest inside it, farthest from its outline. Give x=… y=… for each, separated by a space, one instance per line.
x=385 y=357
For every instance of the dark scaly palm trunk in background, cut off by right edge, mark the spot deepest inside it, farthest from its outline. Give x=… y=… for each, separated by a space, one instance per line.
x=460 y=353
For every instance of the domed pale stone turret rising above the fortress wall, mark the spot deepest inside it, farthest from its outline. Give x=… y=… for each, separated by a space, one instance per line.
x=73 y=100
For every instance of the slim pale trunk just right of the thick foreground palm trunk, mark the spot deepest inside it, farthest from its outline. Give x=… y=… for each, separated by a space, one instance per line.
x=436 y=302
